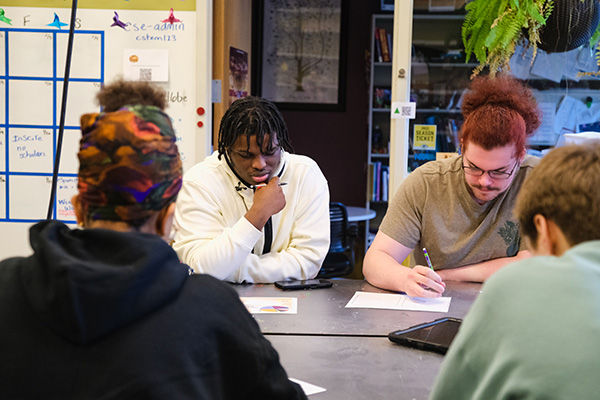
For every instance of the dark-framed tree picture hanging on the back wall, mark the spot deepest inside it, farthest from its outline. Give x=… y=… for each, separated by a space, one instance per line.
x=302 y=57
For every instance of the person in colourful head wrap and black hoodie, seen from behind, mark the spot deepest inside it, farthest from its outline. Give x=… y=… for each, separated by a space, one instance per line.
x=108 y=311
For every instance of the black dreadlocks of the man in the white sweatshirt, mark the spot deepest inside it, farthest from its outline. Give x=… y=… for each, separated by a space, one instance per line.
x=253 y=116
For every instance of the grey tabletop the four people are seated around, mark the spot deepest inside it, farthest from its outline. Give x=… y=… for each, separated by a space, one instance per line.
x=346 y=350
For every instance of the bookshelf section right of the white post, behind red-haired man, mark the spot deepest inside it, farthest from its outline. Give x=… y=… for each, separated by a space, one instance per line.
x=439 y=76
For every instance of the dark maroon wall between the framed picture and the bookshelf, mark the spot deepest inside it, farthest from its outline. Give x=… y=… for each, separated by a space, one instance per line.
x=338 y=140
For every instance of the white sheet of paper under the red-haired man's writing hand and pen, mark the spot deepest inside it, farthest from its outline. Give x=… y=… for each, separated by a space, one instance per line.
x=392 y=301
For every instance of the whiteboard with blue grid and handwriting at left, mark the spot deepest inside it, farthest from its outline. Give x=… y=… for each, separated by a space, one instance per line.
x=33 y=51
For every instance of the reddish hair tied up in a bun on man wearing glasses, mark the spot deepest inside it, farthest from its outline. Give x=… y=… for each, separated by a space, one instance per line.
x=497 y=112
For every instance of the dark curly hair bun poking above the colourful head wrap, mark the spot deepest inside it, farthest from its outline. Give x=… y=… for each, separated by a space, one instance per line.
x=120 y=93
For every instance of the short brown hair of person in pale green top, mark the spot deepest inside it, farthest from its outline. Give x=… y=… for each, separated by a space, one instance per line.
x=565 y=188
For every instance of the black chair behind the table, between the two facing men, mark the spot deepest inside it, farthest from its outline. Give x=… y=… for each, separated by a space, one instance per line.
x=340 y=257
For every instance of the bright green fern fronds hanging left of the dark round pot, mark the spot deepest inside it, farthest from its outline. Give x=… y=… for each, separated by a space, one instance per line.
x=493 y=28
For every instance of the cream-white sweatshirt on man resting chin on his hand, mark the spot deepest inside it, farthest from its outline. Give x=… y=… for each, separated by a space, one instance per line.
x=213 y=237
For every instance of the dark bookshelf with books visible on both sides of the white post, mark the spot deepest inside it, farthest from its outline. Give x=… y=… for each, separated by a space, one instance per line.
x=438 y=78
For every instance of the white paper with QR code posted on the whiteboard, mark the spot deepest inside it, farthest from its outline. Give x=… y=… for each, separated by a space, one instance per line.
x=146 y=65
